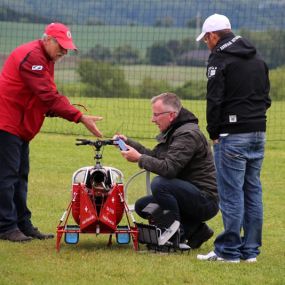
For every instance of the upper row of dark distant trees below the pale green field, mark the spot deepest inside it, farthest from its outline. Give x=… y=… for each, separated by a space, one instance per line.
x=187 y=52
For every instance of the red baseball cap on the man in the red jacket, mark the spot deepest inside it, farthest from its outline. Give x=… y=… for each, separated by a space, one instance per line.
x=62 y=34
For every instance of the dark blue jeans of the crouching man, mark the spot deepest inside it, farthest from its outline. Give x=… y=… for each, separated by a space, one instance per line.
x=187 y=204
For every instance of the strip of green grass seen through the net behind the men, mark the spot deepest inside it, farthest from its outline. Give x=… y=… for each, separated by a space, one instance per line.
x=133 y=117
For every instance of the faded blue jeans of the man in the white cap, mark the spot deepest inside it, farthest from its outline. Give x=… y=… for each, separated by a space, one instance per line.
x=238 y=160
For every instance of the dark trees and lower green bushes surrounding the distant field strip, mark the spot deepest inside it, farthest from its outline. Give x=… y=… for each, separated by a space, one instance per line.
x=100 y=69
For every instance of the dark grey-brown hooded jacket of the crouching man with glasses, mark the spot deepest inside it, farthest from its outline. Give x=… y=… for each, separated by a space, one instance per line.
x=182 y=152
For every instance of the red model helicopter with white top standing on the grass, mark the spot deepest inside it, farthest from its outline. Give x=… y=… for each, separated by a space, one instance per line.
x=98 y=202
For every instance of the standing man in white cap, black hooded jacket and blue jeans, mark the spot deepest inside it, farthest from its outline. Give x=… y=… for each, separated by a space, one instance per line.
x=237 y=100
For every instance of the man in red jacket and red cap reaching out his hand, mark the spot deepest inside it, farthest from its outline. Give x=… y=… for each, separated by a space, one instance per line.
x=28 y=94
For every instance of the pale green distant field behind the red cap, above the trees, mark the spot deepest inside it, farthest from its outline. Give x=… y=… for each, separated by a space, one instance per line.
x=12 y=34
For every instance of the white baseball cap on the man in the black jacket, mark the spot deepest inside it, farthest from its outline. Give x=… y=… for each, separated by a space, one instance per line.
x=215 y=22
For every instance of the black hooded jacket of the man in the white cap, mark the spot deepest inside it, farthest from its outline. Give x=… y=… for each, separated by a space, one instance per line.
x=238 y=88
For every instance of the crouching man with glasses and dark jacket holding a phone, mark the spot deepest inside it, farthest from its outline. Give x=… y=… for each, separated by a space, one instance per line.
x=185 y=184
